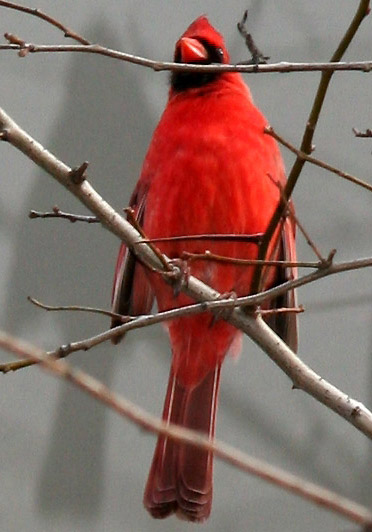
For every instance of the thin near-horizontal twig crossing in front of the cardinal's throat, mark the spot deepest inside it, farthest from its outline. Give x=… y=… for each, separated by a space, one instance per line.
x=283 y=67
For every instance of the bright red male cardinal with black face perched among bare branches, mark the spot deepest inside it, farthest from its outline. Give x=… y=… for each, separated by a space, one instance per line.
x=210 y=169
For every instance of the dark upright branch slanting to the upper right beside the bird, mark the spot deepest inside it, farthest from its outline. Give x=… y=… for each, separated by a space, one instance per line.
x=306 y=144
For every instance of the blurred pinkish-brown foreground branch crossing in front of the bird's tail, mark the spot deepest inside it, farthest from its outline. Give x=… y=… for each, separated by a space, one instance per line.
x=298 y=486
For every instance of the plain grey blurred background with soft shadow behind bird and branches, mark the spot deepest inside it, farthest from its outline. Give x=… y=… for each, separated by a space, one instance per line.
x=66 y=462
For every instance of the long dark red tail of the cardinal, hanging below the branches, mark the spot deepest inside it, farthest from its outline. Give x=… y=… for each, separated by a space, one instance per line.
x=180 y=478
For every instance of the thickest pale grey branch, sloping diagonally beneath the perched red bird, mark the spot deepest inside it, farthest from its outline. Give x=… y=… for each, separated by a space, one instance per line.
x=301 y=376
